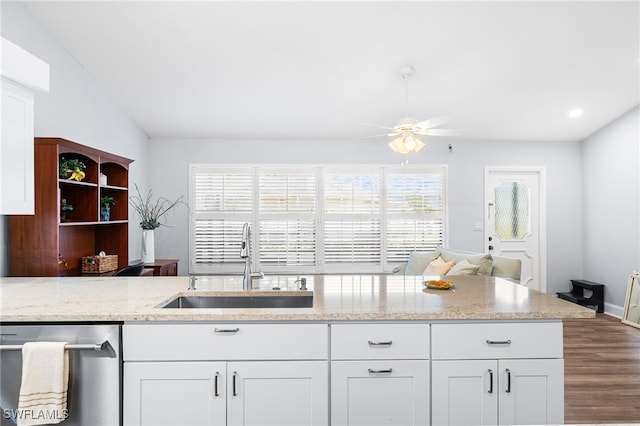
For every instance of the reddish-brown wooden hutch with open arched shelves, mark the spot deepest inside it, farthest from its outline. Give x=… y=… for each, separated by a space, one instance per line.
x=50 y=244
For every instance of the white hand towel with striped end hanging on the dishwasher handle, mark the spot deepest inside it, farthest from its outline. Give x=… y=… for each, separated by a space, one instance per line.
x=45 y=379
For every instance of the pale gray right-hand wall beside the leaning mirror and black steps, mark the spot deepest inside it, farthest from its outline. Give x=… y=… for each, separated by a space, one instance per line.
x=611 y=205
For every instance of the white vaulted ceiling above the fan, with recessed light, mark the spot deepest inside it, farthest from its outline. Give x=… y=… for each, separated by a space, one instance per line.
x=309 y=70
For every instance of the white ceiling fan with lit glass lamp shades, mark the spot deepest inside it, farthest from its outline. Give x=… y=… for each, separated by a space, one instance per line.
x=405 y=132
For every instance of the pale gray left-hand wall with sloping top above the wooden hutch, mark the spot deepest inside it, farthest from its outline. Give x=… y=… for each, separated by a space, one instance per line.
x=75 y=108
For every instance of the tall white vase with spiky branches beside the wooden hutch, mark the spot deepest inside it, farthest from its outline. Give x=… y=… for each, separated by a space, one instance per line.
x=152 y=215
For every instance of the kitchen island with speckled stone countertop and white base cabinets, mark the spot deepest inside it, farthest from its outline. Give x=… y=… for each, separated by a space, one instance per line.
x=371 y=349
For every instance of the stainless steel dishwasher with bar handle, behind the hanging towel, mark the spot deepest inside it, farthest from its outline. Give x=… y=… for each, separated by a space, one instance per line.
x=95 y=369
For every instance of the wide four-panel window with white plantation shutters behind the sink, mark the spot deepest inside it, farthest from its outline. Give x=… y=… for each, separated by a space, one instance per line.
x=315 y=218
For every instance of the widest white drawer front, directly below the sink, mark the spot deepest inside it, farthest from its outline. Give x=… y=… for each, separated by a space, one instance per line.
x=199 y=342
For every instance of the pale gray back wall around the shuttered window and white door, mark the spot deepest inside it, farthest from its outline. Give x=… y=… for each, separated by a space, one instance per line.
x=171 y=158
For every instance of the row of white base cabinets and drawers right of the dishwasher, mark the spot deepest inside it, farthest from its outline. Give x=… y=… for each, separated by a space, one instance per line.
x=372 y=373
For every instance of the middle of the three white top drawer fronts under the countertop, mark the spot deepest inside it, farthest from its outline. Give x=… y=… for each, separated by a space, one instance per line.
x=380 y=341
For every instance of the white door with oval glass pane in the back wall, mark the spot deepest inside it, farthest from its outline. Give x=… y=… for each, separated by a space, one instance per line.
x=515 y=219
